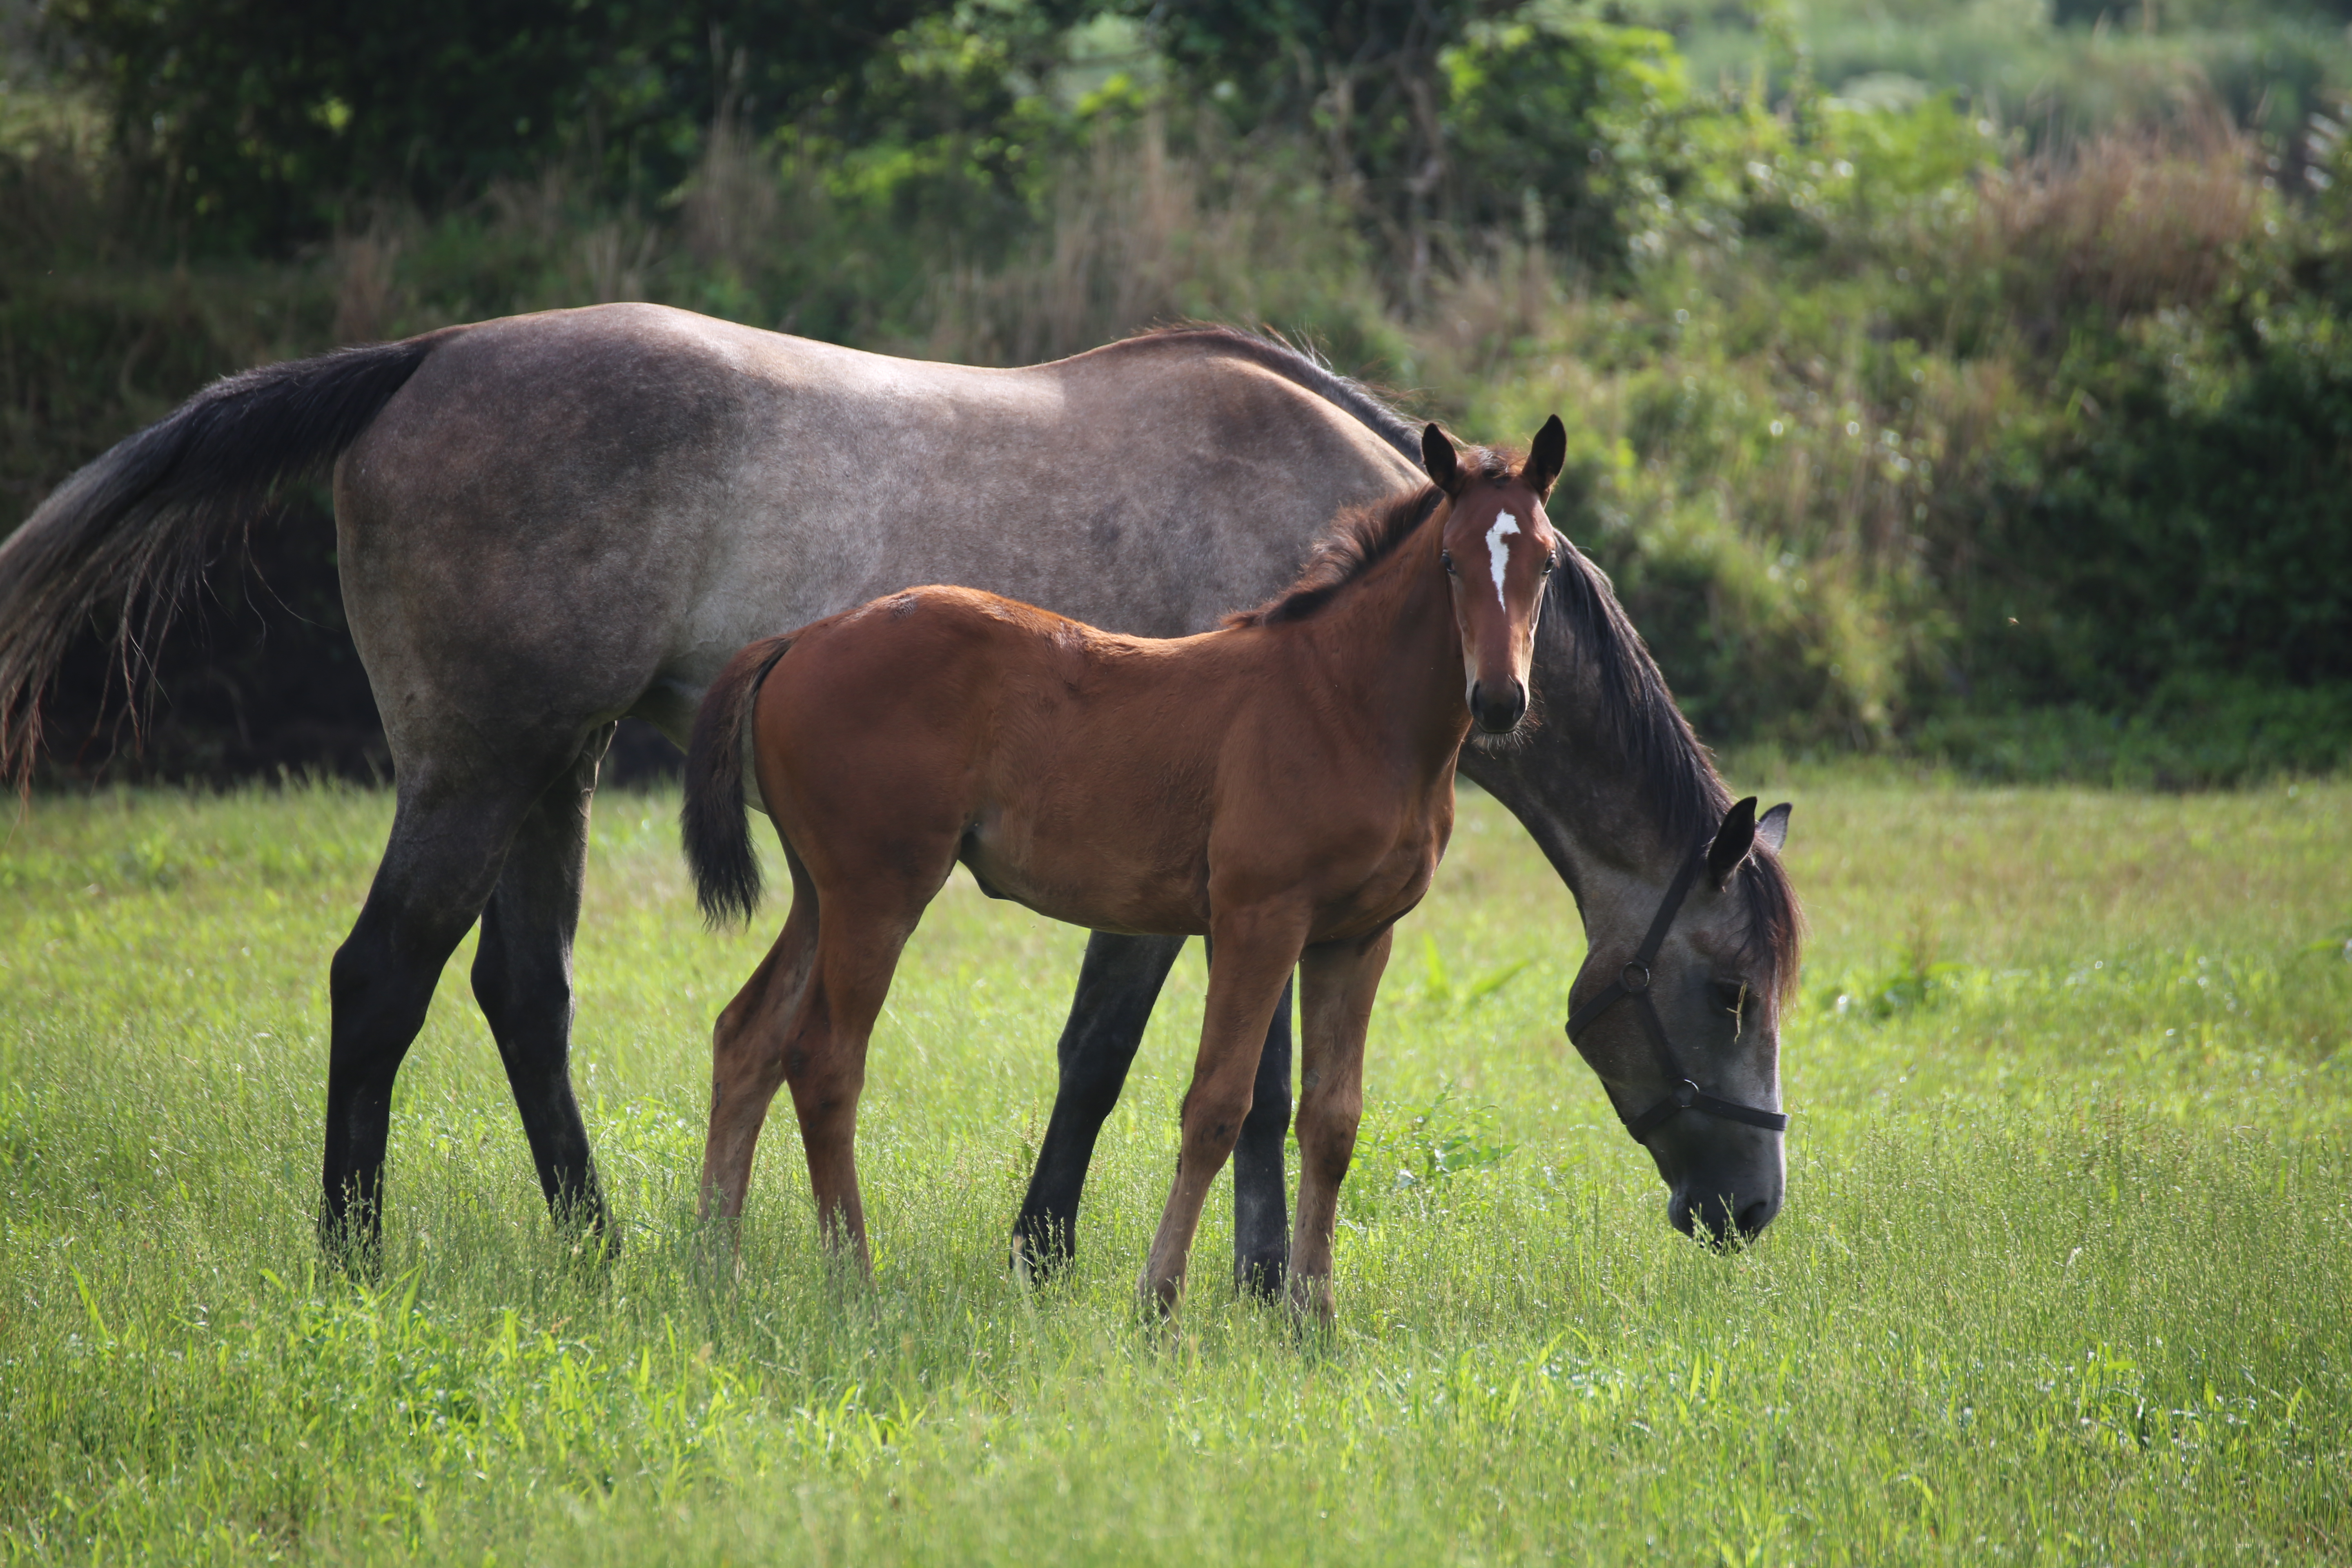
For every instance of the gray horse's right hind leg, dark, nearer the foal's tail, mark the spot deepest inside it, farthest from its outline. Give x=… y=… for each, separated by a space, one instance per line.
x=523 y=981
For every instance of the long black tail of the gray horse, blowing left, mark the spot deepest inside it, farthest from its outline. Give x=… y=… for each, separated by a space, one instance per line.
x=135 y=528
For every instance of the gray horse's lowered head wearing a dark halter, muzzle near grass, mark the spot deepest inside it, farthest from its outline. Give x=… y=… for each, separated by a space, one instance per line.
x=1681 y=1017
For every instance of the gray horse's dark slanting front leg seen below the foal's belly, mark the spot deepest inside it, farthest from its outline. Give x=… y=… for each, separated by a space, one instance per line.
x=1116 y=993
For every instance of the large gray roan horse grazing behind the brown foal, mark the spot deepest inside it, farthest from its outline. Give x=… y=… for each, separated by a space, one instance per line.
x=554 y=521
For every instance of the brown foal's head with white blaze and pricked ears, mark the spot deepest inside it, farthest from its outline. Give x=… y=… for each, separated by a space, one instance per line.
x=1497 y=549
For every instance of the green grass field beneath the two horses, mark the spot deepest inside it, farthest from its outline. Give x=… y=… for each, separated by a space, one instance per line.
x=2064 y=1273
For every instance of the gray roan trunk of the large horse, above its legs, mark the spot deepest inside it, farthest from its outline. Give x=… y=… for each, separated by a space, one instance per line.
x=599 y=507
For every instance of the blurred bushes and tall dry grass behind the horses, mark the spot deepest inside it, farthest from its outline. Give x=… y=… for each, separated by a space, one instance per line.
x=1956 y=380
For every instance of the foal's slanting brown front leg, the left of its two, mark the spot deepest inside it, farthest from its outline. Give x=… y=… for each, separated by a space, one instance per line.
x=1250 y=963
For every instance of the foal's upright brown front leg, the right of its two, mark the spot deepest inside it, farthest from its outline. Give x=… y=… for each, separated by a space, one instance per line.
x=1337 y=986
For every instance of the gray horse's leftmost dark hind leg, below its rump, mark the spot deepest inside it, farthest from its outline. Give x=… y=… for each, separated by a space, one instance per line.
x=443 y=859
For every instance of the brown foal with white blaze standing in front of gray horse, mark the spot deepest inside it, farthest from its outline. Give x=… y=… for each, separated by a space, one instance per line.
x=1281 y=786
